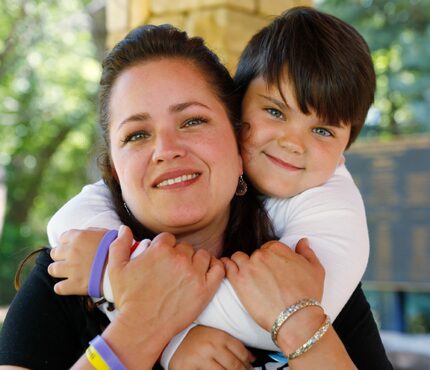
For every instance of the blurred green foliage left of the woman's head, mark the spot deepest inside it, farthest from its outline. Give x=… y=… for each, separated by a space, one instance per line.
x=48 y=84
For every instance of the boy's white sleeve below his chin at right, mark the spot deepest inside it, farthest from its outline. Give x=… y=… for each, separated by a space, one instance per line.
x=333 y=218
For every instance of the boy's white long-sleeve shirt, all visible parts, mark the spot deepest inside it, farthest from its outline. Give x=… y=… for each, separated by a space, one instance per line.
x=331 y=216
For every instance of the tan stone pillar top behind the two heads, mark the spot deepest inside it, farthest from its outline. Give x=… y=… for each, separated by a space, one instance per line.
x=226 y=25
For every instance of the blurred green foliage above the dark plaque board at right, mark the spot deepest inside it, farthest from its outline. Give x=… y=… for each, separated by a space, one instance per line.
x=398 y=33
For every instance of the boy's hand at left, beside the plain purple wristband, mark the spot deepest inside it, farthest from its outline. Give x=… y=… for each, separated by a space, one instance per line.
x=73 y=260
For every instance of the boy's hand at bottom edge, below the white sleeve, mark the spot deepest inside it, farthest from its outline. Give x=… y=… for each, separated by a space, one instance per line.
x=211 y=349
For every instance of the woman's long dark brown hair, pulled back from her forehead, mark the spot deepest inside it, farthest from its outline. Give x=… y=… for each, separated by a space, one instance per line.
x=248 y=226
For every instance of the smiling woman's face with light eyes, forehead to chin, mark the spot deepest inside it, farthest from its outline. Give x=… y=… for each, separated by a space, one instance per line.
x=173 y=147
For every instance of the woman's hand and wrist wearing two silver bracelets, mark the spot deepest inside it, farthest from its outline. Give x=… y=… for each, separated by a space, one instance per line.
x=275 y=277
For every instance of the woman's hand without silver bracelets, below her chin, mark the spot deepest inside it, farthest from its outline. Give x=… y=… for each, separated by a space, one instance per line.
x=168 y=284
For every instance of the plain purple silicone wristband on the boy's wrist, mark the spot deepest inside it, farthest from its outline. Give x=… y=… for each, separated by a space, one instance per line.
x=99 y=262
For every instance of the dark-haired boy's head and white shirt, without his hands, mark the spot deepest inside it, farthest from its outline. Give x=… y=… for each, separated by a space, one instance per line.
x=308 y=82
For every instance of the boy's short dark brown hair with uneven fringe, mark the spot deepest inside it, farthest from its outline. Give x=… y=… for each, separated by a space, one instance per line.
x=325 y=59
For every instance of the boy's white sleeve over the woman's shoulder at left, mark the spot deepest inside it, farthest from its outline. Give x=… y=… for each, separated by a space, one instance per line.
x=92 y=207
